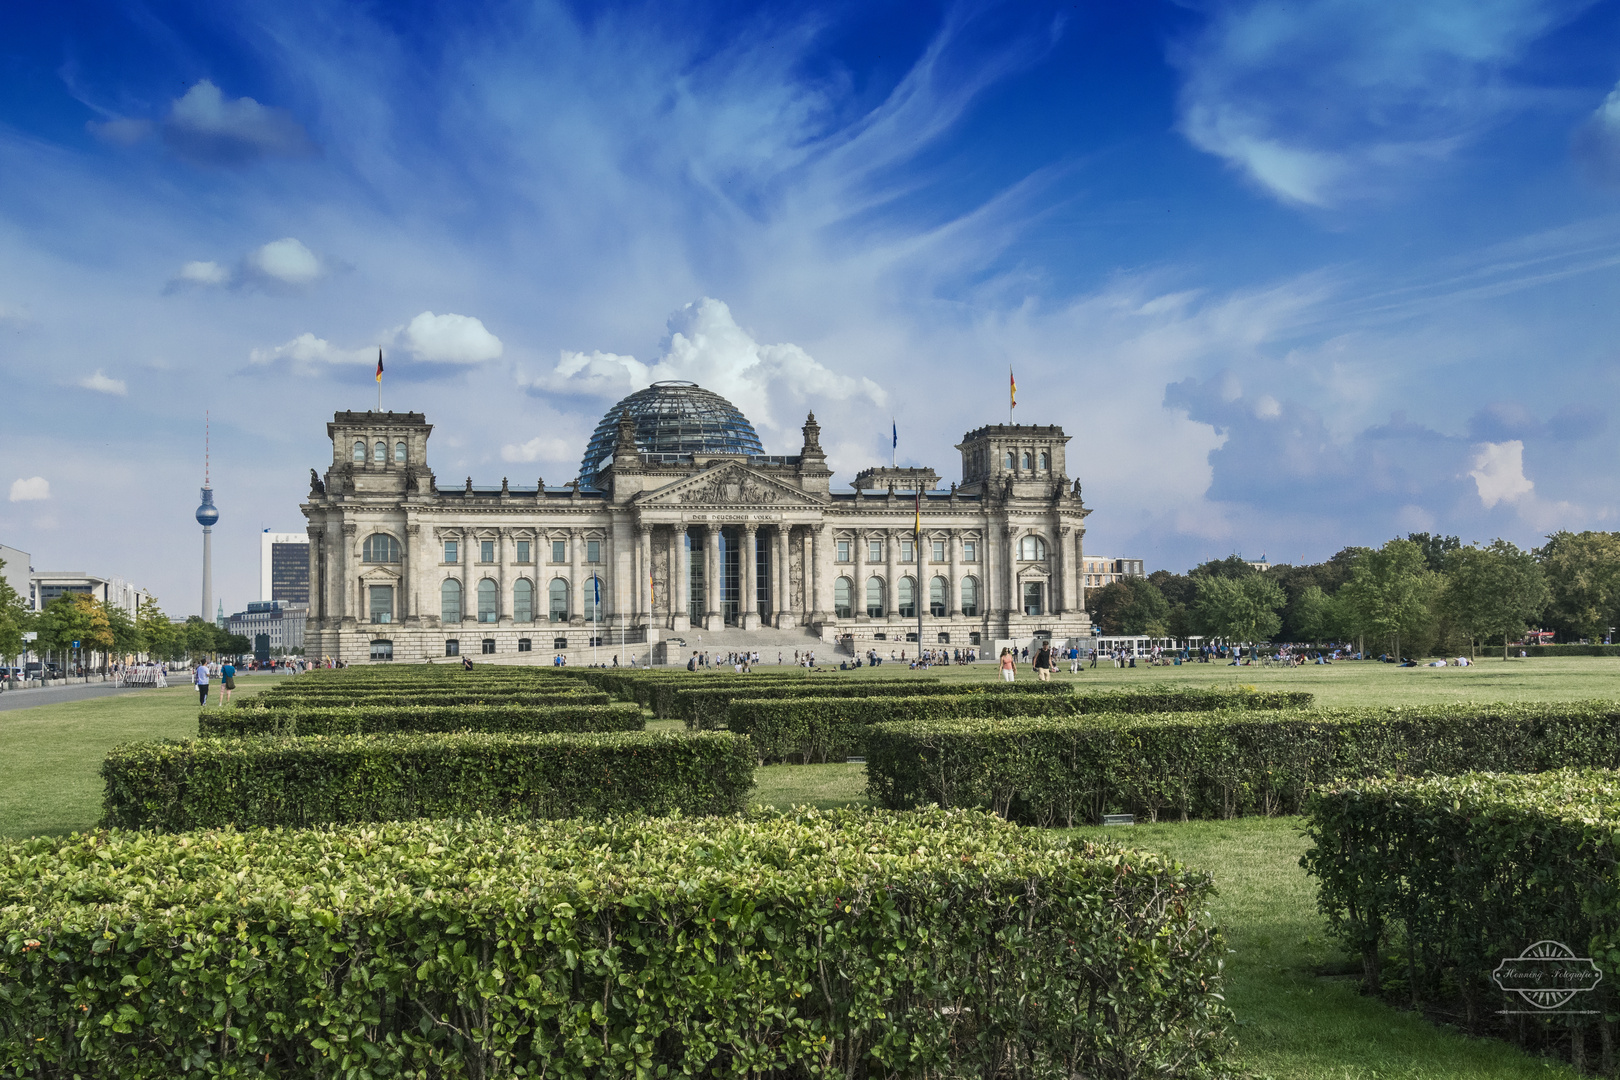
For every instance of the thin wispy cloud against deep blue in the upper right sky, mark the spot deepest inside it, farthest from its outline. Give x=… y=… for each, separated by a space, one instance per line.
x=1326 y=103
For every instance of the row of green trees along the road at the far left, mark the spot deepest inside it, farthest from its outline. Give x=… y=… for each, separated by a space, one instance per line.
x=108 y=631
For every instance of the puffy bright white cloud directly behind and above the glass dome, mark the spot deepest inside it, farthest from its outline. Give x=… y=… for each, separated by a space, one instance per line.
x=772 y=385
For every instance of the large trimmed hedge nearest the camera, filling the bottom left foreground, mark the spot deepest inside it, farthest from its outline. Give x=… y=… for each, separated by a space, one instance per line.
x=816 y=945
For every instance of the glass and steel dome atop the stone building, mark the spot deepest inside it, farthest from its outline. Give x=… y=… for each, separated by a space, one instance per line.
x=673 y=422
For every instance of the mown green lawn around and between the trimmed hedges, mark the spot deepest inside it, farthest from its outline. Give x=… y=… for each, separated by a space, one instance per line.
x=1294 y=1021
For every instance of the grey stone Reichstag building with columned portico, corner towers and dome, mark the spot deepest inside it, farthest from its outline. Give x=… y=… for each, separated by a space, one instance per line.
x=683 y=534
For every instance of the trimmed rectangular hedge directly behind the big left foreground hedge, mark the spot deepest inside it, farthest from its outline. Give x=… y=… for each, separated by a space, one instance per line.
x=320 y=780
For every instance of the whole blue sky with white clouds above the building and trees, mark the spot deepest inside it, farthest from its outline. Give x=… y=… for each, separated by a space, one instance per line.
x=1295 y=276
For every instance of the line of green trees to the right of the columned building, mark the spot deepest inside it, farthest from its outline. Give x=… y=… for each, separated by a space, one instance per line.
x=1415 y=595
